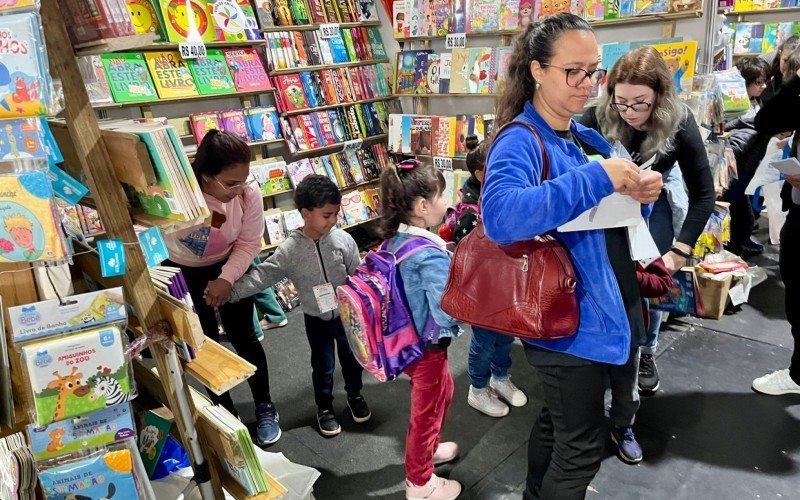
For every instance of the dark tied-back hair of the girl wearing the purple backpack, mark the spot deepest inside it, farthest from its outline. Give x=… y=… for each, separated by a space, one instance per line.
x=400 y=188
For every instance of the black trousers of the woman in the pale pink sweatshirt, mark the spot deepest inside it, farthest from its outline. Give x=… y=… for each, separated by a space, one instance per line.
x=237 y=320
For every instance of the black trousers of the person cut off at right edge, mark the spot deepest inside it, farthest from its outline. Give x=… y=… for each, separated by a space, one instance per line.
x=790 y=273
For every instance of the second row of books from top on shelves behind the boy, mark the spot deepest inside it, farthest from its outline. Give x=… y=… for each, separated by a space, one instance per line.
x=297 y=49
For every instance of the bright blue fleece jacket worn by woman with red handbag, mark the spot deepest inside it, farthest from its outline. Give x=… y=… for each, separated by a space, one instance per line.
x=518 y=206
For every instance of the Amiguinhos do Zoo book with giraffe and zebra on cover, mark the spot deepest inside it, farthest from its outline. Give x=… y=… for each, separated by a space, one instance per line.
x=77 y=374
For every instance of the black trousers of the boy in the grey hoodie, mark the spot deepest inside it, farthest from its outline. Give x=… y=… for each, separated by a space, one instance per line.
x=325 y=336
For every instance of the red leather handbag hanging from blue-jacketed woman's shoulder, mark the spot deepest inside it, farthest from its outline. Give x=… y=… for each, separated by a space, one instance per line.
x=526 y=289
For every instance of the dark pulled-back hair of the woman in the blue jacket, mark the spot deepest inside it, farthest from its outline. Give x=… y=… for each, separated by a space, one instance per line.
x=534 y=44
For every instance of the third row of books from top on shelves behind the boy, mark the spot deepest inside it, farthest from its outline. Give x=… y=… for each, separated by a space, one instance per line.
x=312 y=89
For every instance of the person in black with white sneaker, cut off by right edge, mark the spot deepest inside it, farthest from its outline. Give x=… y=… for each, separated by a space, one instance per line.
x=782 y=114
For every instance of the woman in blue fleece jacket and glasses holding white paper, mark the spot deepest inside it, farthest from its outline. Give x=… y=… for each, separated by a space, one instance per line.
x=551 y=73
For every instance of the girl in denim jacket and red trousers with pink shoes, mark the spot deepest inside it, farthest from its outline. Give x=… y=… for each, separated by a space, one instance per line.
x=413 y=200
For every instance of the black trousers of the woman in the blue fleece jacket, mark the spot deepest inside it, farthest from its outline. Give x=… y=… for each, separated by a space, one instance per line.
x=568 y=440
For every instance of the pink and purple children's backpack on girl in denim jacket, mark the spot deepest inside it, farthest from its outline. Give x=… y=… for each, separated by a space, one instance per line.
x=375 y=313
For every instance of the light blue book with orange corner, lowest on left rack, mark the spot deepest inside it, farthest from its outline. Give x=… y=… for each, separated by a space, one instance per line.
x=106 y=476
